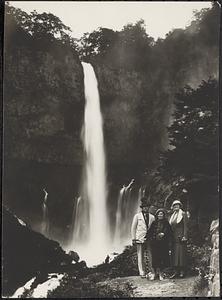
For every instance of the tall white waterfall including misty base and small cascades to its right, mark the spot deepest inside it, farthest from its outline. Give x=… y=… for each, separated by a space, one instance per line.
x=92 y=235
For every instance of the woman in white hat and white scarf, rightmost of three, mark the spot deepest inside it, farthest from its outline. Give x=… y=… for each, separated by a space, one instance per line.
x=178 y=222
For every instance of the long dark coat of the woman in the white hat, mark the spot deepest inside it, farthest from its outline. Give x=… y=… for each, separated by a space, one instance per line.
x=179 y=249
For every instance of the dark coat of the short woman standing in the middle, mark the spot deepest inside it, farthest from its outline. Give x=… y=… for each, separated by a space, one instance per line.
x=160 y=246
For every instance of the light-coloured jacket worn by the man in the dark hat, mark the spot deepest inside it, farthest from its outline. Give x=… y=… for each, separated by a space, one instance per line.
x=139 y=228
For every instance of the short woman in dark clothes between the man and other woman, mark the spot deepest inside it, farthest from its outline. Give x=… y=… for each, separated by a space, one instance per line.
x=161 y=236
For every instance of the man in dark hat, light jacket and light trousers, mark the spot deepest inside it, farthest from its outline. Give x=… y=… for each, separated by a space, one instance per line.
x=140 y=237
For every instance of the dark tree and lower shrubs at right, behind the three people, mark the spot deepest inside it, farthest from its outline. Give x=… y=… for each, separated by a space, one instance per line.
x=189 y=169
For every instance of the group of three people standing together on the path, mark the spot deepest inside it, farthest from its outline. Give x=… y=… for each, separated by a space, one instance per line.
x=157 y=236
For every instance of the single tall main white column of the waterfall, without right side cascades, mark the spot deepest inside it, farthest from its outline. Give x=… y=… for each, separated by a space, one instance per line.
x=91 y=232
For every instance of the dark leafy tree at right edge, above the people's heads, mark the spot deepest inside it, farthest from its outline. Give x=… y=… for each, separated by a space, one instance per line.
x=194 y=141
